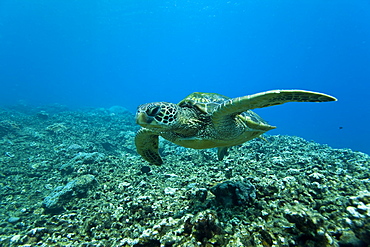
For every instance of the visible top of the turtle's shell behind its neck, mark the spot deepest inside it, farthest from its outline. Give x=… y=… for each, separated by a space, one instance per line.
x=205 y=102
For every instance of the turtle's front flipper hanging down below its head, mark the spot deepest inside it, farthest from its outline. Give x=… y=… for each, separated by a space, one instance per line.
x=146 y=142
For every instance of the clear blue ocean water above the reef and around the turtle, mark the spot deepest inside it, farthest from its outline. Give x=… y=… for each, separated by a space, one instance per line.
x=105 y=53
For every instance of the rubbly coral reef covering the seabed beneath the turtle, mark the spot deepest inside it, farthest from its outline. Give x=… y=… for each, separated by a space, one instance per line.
x=73 y=178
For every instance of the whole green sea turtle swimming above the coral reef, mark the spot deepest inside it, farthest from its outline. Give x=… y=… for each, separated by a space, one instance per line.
x=210 y=120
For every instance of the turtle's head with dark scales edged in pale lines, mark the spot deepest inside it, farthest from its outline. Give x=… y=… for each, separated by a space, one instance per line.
x=157 y=115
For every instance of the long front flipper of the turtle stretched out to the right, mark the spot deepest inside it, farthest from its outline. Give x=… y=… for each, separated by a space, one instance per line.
x=265 y=99
